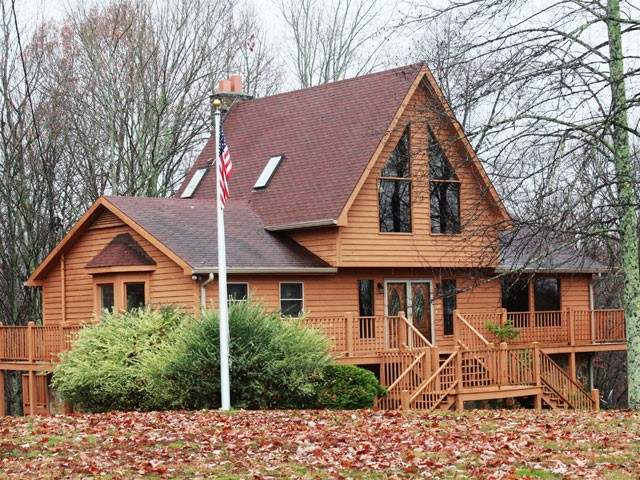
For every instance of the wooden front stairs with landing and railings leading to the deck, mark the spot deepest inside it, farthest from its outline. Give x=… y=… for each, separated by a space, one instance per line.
x=418 y=379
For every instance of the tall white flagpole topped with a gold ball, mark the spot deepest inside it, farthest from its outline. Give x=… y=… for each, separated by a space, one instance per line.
x=225 y=397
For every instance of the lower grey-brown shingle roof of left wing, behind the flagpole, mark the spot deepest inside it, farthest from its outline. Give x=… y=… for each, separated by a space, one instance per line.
x=188 y=229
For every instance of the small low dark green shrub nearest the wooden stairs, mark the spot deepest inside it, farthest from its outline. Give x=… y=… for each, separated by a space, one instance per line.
x=347 y=387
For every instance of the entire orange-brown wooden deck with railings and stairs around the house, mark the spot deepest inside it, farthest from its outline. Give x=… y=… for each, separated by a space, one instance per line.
x=417 y=373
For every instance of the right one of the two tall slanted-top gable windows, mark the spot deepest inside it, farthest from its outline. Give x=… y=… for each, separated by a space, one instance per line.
x=445 y=191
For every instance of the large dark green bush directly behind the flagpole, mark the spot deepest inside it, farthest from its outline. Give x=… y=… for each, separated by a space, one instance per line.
x=274 y=363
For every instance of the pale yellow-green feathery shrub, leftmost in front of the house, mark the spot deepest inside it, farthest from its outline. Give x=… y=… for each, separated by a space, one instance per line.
x=107 y=369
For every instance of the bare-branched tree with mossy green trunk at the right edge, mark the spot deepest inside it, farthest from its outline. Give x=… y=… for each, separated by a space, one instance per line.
x=561 y=130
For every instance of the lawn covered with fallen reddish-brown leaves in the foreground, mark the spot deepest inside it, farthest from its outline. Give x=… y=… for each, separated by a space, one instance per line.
x=323 y=444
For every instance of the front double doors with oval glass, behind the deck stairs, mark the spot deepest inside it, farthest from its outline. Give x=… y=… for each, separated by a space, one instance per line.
x=414 y=298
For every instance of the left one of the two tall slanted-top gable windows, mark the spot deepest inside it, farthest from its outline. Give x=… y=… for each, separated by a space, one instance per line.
x=394 y=189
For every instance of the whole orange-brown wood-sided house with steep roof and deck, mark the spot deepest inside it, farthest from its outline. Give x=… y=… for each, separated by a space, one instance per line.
x=361 y=205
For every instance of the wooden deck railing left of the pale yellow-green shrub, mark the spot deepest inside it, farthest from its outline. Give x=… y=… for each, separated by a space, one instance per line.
x=35 y=343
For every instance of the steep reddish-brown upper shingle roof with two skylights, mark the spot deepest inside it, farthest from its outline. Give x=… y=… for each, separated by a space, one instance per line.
x=327 y=135
